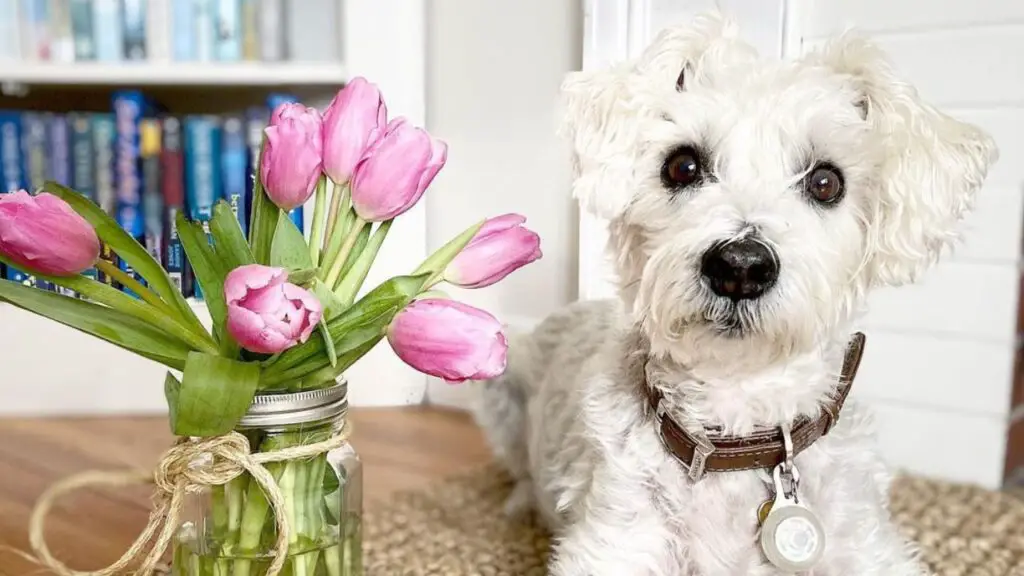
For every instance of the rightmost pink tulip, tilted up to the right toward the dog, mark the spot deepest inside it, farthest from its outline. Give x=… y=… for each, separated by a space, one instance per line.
x=501 y=248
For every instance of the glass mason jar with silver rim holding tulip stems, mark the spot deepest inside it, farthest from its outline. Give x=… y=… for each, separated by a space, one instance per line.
x=230 y=530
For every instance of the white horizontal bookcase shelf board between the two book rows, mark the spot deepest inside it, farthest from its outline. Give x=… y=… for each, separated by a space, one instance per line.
x=175 y=74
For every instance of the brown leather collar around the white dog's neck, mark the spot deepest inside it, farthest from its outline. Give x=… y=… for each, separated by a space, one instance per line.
x=761 y=449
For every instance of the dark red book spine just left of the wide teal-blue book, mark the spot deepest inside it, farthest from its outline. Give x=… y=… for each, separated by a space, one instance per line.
x=173 y=187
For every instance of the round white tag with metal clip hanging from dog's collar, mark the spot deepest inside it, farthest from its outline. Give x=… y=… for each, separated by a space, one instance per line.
x=792 y=537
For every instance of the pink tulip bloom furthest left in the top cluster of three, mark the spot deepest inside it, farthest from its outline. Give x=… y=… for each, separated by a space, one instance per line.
x=293 y=155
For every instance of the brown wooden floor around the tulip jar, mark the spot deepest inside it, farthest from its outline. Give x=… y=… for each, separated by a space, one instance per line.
x=402 y=449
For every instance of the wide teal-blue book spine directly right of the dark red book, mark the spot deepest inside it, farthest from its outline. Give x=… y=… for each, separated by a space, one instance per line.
x=203 y=181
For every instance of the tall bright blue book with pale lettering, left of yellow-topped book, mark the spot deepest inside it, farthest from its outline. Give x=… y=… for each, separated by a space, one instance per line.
x=129 y=111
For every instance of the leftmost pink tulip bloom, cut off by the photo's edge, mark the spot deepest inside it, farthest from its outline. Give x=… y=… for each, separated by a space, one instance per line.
x=42 y=234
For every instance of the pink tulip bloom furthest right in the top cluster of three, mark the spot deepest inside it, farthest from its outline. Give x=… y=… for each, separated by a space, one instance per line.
x=396 y=172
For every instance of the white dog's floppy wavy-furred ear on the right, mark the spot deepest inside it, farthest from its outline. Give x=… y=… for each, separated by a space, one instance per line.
x=932 y=166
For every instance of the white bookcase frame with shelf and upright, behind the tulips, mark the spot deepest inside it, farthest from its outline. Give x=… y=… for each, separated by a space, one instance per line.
x=48 y=368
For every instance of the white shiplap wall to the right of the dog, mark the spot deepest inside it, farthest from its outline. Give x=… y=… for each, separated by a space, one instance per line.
x=940 y=366
